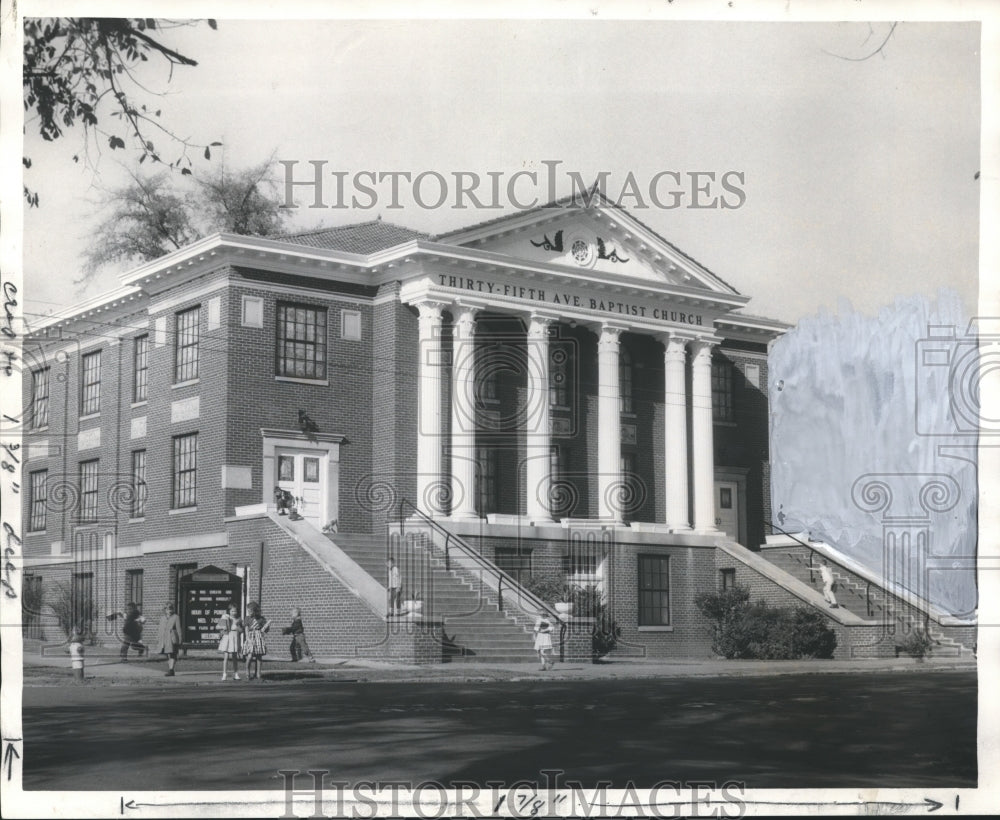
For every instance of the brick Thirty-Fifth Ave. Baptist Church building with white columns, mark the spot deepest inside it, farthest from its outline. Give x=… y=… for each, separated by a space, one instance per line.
x=560 y=394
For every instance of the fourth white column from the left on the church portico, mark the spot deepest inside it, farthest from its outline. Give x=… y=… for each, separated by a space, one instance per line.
x=609 y=448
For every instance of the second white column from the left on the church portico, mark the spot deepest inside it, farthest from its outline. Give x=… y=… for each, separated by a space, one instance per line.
x=463 y=413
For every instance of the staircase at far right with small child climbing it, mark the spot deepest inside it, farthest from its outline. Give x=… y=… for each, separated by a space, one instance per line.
x=862 y=597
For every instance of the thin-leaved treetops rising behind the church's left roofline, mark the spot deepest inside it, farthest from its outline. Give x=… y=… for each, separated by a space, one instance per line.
x=150 y=216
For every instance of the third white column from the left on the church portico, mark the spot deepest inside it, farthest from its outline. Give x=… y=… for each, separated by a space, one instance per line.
x=537 y=429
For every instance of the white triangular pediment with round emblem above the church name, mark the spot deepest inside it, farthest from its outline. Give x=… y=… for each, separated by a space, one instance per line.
x=600 y=237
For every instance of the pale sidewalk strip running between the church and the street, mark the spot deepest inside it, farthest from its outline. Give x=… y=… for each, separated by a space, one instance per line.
x=53 y=668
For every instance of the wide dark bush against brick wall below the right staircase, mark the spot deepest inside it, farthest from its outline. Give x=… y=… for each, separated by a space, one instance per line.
x=742 y=630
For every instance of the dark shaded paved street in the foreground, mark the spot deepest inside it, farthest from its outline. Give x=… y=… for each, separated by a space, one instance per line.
x=896 y=729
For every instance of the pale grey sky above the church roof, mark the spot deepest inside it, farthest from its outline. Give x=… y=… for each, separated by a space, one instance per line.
x=859 y=175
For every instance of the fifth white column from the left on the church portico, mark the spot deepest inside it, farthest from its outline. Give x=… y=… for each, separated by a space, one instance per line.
x=675 y=432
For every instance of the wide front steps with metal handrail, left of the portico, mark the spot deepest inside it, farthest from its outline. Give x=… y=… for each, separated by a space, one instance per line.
x=474 y=628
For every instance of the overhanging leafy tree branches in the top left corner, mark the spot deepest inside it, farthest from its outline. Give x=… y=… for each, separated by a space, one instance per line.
x=82 y=70
